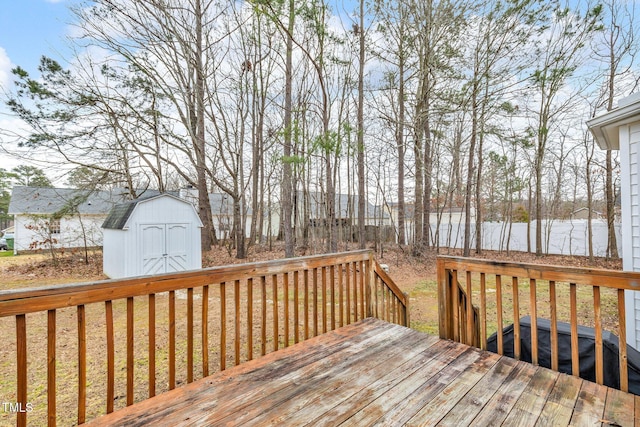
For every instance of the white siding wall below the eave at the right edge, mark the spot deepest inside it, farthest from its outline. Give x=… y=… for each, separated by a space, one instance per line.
x=630 y=188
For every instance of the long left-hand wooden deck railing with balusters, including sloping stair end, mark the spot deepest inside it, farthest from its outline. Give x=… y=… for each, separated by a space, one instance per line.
x=100 y=346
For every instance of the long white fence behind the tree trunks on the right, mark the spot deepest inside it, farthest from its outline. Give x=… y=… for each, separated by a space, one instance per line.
x=559 y=237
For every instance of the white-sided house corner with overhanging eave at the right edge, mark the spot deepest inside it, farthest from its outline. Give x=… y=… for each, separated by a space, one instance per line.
x=619 y=129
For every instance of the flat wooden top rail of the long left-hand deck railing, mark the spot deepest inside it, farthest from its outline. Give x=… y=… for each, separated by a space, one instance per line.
x=20 y=301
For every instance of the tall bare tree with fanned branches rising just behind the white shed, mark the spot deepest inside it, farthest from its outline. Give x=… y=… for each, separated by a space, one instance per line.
x=173 y=47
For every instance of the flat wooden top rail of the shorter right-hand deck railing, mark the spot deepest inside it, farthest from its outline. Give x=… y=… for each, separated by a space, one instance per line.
x=586 y=276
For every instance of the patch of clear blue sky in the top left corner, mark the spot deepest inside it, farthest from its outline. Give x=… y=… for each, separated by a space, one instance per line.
x=32 y=28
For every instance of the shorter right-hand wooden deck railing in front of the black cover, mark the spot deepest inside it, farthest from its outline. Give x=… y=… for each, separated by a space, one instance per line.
x=477 y=297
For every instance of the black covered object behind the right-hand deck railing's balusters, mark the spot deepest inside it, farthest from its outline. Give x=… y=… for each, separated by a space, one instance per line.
x=586 y=345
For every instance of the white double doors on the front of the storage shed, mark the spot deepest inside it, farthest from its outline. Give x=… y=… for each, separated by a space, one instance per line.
x=164 y=248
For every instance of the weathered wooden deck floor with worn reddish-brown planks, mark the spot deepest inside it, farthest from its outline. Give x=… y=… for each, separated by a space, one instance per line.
x=373 y=372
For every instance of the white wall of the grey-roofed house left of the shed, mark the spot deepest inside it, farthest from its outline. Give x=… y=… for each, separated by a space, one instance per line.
x=31 y=232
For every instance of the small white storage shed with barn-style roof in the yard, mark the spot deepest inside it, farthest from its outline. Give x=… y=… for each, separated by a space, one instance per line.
x=156 y=235
